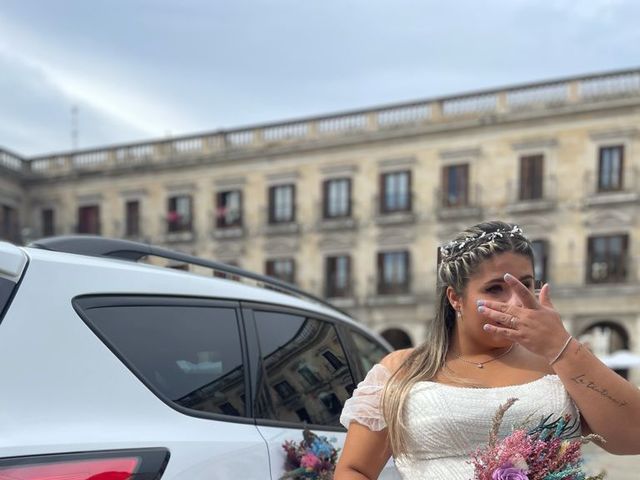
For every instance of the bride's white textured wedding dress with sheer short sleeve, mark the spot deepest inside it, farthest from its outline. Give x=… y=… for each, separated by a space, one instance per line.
x=446 y=424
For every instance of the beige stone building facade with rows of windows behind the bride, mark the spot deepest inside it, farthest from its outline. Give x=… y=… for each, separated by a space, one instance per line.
x=352 y=206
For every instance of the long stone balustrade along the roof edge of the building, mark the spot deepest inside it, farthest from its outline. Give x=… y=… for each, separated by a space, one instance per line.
x=549 y=95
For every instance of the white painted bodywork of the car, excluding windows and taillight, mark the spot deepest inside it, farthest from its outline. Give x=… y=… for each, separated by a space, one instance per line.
x=100 y=404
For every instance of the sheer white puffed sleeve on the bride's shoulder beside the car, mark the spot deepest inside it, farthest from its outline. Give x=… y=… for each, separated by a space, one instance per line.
x=364 y=406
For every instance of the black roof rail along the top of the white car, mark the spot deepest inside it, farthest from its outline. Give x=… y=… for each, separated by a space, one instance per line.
x=97 y=246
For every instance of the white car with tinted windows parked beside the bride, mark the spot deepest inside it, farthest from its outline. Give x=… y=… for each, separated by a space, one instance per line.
x=115 y=370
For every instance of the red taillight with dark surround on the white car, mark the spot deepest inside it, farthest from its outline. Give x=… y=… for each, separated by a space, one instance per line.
x=147 y=464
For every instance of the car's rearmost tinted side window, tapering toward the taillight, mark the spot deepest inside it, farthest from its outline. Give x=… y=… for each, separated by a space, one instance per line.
x=191 y=355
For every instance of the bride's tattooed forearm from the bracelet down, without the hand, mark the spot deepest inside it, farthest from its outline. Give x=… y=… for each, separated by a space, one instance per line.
x=609 y=404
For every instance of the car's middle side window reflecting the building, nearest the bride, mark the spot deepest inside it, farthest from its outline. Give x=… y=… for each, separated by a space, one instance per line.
x=306 y=371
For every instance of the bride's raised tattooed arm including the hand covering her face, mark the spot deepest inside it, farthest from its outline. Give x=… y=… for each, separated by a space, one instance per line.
x=608 y=403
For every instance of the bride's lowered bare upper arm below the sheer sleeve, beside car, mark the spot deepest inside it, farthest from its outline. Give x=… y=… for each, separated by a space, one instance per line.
x=364 y=455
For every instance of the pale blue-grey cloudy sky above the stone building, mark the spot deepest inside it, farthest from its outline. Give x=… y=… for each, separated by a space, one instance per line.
x=143 y=69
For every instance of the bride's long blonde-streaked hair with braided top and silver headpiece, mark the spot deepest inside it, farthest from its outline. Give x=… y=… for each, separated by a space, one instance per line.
x=459 y=261
